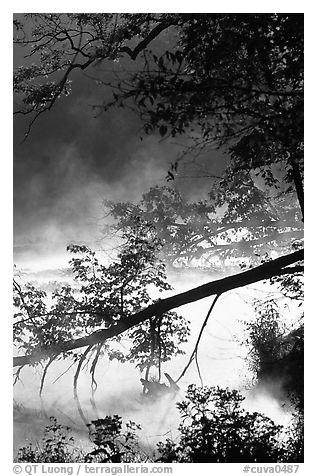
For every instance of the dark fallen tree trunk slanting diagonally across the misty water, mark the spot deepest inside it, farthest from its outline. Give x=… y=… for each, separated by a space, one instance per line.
x=264 y=271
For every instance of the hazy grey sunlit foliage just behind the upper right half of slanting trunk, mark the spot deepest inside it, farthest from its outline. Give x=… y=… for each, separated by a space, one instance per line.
x=238 y=223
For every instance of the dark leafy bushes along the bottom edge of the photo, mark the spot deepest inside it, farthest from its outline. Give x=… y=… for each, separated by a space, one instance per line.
x=215 y=429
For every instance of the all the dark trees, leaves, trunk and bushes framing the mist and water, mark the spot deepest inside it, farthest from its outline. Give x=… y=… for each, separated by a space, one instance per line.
x=225 y=81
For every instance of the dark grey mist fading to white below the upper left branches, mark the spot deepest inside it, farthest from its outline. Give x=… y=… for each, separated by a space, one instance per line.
x=71 y=161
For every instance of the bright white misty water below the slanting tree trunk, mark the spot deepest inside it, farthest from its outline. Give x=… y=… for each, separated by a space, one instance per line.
x=222 y=361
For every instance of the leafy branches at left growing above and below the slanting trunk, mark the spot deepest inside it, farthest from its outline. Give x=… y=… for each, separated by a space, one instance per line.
x=104 y=295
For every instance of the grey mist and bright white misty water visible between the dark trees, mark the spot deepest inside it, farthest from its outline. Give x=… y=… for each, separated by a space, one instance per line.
x=71 y=163
